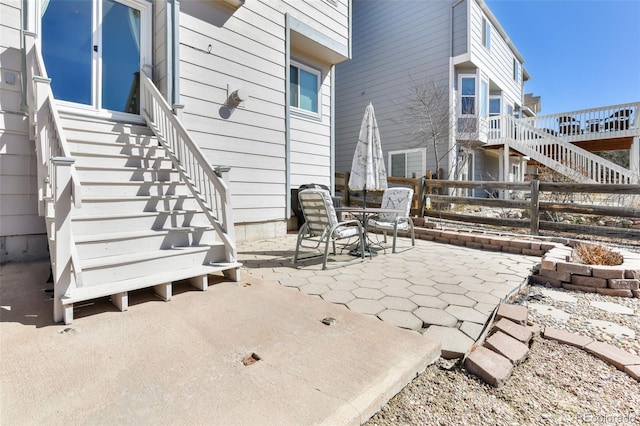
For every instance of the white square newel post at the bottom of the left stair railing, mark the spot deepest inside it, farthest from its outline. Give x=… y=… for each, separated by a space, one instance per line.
x=62 y=189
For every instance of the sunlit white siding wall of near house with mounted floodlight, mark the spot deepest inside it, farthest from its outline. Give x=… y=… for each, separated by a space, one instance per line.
x=222 y=48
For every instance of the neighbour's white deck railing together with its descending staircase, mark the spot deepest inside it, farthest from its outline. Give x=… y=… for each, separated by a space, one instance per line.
x=537 y=139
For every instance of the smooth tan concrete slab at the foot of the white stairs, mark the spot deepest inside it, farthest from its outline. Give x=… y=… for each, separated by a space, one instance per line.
x=181 y=362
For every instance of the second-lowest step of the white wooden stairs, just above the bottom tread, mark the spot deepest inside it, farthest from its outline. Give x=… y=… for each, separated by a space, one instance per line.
x=102 y=270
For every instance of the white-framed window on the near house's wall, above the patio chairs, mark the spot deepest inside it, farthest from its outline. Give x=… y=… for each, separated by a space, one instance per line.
x=304 y=88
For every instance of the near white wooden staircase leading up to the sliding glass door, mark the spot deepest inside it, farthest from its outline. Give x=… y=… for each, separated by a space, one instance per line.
x=122 y=211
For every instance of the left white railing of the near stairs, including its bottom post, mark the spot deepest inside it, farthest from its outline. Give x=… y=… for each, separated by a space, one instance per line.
x=59 y=188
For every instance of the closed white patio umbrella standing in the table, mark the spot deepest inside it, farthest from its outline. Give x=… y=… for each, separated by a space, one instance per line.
x=367 y=169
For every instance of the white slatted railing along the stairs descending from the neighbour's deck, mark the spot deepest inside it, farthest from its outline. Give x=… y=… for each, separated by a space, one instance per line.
x=584 y=164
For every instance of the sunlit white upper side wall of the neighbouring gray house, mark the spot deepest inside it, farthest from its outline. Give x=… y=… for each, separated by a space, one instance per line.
x=497 y=63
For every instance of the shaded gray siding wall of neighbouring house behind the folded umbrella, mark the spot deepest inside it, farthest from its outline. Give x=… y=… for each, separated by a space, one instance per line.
x=395 y=44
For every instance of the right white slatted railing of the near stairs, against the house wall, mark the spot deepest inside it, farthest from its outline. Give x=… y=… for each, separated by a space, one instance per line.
x=207 y=186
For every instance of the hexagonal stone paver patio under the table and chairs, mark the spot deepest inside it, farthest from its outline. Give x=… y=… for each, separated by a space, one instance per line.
x=433 y=285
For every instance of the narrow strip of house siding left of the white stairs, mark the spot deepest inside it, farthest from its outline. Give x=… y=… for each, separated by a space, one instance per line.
x=18 y=206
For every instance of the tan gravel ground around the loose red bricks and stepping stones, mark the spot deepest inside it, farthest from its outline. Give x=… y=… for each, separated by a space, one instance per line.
x=557 y=385
